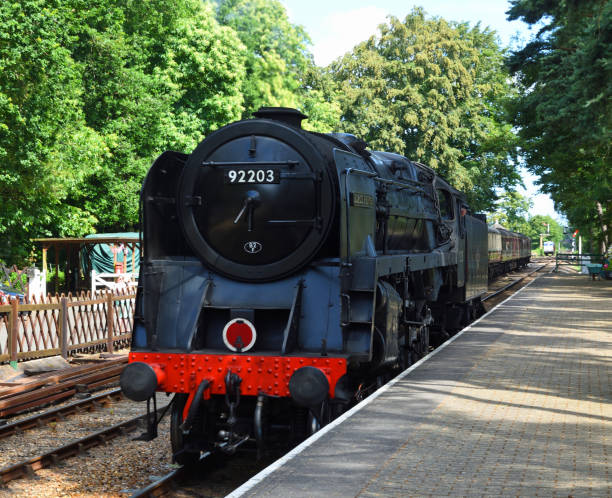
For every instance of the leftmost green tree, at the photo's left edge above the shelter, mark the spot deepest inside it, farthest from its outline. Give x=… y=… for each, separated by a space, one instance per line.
x=45 y=146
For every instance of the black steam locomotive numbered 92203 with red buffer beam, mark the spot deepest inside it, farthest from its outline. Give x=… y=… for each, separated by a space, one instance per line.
x=286 y=273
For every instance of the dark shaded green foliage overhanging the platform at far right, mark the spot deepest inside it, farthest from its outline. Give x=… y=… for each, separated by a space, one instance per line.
x=564 y=112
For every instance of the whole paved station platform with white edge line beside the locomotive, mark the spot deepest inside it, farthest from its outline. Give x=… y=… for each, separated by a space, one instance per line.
x=519 y=403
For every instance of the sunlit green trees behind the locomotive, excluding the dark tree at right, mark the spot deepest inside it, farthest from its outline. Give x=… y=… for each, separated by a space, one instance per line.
x=91 y=91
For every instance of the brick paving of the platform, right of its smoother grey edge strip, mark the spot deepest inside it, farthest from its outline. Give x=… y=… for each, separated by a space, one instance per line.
x=533 y=417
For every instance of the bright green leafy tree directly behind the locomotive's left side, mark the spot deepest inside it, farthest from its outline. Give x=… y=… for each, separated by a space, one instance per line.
x=156 y=76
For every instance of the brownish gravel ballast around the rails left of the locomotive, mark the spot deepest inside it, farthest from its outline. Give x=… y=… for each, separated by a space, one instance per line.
x=114 y=469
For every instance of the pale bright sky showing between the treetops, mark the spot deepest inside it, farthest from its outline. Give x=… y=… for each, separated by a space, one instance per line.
x=335 y=27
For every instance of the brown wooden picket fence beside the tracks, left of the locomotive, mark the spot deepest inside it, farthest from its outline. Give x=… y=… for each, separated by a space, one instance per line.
x=65 y=325
